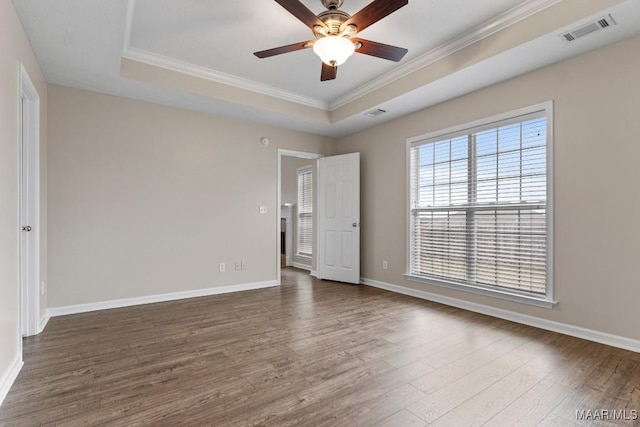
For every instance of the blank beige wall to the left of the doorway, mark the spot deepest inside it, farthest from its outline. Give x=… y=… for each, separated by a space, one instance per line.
x=146 y=199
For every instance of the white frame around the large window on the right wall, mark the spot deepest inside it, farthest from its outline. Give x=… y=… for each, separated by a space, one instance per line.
x=547 y=300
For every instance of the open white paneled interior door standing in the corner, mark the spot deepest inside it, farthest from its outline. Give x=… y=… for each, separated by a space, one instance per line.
x=339 y=218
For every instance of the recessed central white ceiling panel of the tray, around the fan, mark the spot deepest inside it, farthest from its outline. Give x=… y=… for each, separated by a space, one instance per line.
x=223 y=38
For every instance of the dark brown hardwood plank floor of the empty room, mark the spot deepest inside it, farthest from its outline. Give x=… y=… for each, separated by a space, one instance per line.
x=313 y=353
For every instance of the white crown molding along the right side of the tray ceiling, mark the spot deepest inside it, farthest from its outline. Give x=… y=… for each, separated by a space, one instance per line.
x=502 y=21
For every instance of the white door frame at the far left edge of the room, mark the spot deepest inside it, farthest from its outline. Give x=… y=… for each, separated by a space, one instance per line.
x=29 y=146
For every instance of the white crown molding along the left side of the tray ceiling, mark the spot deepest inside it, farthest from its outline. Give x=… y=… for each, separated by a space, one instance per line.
x=219 y=77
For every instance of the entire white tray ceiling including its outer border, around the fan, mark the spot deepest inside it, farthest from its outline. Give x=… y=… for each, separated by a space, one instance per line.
x=80 y=43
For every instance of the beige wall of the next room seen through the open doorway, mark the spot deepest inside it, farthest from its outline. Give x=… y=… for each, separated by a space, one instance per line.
x=289 y=177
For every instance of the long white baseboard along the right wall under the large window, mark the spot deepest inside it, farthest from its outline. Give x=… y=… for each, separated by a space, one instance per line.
x=550 y=325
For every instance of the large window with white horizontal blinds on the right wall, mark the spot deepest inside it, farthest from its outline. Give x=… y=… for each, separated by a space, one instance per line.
x=478 y=213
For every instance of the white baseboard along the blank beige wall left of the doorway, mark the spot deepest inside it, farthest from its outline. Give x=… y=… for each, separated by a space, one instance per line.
x=150 y=299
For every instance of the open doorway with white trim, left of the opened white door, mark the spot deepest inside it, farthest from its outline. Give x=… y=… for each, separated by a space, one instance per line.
x=295 y=167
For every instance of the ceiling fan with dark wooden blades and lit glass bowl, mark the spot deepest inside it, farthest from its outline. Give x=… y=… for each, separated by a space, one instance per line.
x=335 y=29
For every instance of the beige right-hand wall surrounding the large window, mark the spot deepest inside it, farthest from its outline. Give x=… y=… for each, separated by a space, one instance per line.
x=596 y=173
